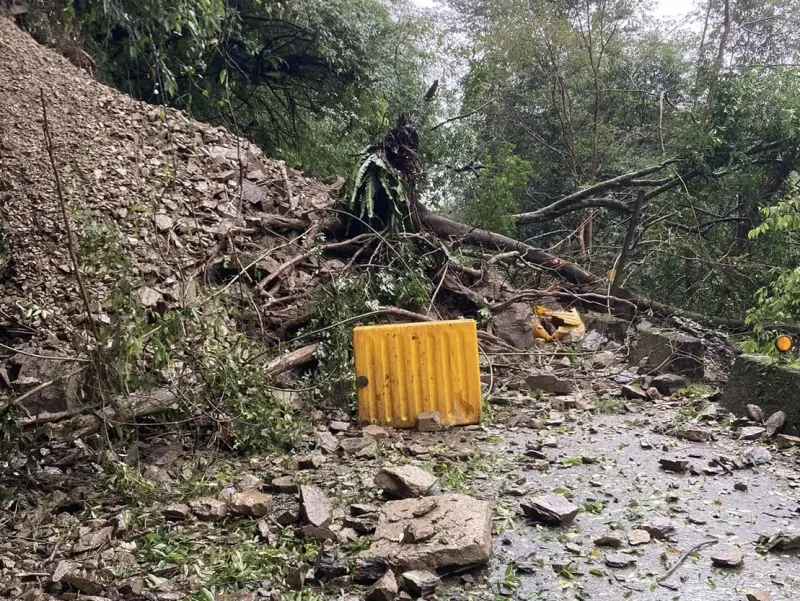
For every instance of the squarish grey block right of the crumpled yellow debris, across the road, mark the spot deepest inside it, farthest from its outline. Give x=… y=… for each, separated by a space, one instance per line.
x=667 y=351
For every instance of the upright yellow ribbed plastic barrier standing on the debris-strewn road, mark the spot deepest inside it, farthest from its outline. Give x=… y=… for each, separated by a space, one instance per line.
x=403 y=370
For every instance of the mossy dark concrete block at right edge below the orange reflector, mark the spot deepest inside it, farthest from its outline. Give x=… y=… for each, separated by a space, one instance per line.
x=770 y=385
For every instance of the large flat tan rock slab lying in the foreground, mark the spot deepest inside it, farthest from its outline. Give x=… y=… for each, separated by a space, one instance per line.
x=464 y=533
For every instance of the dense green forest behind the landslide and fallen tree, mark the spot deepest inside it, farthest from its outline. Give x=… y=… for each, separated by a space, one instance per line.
x=555 y=122
